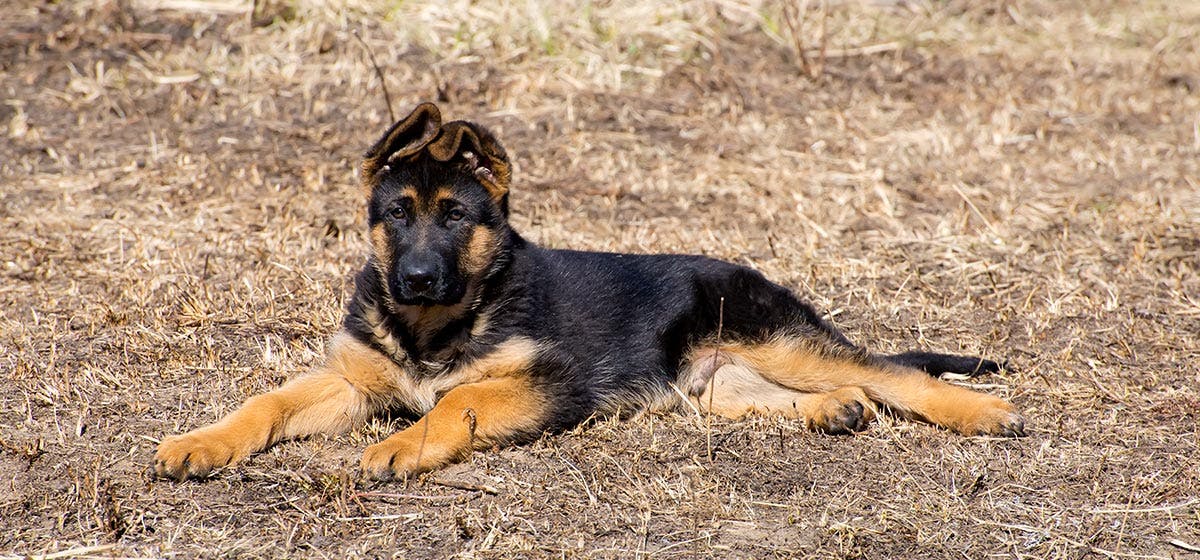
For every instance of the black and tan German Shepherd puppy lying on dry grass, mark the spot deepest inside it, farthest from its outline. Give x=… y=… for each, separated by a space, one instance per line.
x=491 y=340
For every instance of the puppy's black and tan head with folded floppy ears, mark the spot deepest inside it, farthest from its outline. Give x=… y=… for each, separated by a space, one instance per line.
x=437 y=207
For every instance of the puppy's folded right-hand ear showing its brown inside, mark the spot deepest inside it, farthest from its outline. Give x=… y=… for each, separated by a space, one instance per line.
x=481 y=150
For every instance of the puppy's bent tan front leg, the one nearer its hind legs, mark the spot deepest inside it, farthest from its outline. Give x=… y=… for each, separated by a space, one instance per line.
x=469 y=418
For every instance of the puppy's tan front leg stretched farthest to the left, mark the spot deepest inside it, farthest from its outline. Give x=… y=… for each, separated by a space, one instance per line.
x=351 y=388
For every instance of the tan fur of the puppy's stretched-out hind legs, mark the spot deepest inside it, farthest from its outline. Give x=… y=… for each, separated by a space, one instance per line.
x=791 y=378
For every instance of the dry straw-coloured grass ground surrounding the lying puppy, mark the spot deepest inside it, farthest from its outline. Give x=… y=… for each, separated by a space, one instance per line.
x=1019 y=179
